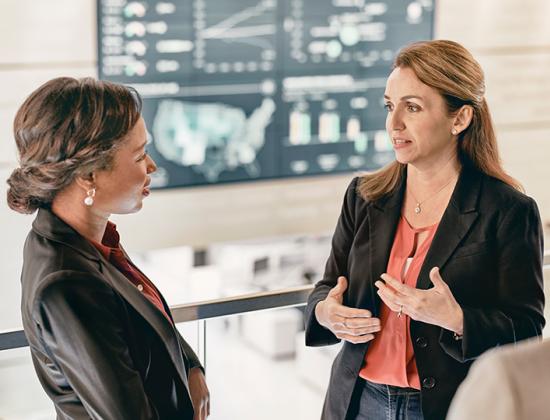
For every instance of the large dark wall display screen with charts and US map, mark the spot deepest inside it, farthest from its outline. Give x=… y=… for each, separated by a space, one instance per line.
x=238 y=90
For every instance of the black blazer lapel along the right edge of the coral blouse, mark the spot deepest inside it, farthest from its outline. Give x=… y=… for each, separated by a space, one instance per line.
x=460 y=215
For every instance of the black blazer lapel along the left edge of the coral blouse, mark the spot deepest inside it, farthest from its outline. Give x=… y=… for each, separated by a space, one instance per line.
x=383 y=216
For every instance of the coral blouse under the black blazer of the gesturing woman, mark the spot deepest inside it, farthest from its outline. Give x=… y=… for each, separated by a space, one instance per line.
x=390 y=356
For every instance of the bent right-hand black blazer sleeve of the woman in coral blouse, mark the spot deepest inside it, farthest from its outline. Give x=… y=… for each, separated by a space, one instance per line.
x=520 y=294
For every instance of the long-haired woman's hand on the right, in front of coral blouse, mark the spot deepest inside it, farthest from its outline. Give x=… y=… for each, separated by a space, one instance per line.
x=435 y=306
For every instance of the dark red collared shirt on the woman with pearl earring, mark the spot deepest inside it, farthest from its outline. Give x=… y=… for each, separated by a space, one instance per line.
x=110 y=249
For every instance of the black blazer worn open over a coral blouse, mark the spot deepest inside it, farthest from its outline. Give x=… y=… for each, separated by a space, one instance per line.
x=489 y=247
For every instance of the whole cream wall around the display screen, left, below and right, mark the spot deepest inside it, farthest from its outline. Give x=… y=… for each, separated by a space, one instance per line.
x=48 y=38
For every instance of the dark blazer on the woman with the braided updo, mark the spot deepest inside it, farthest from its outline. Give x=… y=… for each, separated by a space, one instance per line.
x=100 y=348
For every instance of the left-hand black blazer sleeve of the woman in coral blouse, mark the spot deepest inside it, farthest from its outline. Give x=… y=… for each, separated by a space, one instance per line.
x=337 y=265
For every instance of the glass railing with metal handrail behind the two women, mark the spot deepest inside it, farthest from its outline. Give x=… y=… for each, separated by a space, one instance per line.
x=252 y=346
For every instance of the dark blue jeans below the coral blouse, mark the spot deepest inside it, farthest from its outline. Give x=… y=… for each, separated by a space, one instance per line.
x=387 y=402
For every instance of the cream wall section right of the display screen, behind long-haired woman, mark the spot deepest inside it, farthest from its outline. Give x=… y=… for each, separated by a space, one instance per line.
x=511 y=40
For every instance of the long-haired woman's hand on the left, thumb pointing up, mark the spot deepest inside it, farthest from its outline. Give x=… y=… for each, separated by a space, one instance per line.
x=350 y=324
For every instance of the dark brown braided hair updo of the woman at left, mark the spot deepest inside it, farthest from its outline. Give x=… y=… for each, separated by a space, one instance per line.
x=67 y=128
